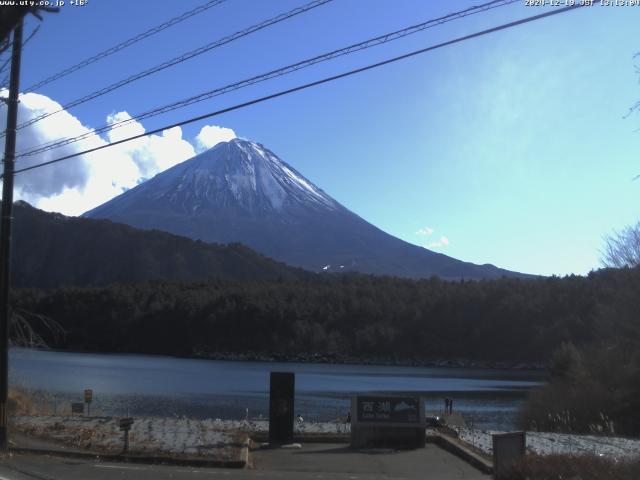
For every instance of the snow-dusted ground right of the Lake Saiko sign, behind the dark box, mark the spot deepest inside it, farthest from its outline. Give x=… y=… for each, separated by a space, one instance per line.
x=546 y=443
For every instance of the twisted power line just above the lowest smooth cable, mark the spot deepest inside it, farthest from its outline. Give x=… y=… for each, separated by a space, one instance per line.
x=381 y=39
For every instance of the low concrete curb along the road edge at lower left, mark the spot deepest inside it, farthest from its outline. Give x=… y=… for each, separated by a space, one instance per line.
x=148 y=459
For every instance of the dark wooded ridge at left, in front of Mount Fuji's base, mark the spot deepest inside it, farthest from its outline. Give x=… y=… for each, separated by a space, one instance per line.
x=51 y=250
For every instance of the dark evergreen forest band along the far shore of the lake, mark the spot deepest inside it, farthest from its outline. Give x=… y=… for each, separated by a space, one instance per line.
x=505 y=320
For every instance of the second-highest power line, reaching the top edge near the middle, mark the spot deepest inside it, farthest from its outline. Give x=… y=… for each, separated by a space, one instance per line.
x=182 y=58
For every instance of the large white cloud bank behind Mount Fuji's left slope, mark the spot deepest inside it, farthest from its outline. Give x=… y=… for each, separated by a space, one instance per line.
x=79 y=184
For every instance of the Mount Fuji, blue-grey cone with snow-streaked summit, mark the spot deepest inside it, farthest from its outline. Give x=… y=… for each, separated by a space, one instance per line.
x=239 y=191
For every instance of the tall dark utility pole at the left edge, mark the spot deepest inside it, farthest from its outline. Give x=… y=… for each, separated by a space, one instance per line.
x=5 y=229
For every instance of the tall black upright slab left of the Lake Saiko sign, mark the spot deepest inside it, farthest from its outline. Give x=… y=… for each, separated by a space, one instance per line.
x=282 y=385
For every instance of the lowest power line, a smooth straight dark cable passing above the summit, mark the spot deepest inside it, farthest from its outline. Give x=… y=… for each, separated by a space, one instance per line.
x=311 y=84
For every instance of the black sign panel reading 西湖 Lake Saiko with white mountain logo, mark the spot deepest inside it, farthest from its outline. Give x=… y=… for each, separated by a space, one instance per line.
x=389 y=409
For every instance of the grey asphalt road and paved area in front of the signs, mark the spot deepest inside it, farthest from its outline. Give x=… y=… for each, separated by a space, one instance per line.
x=312 y=461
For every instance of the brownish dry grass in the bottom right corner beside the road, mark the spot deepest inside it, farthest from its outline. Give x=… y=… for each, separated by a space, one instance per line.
x=564 y=467
